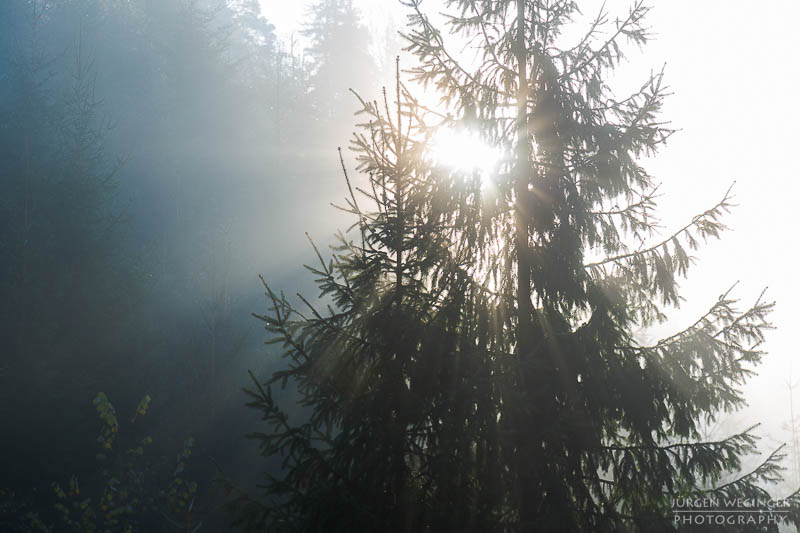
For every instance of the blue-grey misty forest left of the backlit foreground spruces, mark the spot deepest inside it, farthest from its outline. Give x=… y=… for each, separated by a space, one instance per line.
x=155 y=158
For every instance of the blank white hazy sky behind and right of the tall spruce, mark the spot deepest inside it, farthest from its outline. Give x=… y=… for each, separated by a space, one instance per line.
x=733 y=71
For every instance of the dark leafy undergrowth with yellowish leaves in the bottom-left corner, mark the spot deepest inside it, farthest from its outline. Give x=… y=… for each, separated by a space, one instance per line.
x=128 y=492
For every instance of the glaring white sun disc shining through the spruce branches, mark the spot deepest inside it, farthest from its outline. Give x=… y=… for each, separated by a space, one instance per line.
x=463 y=150
